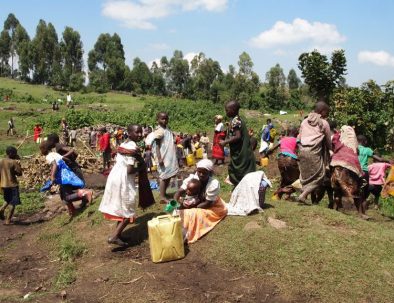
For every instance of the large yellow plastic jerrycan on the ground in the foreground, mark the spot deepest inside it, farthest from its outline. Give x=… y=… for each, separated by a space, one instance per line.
x=165 y=238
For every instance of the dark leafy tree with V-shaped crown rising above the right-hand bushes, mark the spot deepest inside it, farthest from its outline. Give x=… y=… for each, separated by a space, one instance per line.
x=322 y=76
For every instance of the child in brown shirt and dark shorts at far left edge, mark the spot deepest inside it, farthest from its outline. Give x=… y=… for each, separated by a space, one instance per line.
x=10 y=168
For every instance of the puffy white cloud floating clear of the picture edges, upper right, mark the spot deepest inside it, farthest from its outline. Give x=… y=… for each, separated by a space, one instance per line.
x=298 y=31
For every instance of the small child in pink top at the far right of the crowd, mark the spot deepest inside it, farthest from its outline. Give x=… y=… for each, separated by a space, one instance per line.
x=376 y=171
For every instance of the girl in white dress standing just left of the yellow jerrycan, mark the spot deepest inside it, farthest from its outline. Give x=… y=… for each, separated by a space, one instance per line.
x=120 y=193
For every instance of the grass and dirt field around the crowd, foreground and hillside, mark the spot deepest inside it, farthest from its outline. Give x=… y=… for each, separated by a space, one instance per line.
x=320 y=256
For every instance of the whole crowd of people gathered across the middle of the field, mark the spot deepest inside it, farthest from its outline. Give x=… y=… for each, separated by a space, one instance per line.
x=314 y=157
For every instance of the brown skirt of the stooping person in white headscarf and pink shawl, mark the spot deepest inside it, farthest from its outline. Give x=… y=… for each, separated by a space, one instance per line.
x=345 y=182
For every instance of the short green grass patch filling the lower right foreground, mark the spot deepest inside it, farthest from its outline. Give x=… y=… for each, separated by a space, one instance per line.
x=322 y=255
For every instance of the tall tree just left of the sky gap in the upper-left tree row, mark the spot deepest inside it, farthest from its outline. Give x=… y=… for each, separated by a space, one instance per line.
x=72 y=58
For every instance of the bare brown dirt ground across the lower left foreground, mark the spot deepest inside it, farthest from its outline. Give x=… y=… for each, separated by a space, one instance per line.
x=107 y=274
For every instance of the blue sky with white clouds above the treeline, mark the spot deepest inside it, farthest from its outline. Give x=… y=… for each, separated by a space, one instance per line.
x=270 y=31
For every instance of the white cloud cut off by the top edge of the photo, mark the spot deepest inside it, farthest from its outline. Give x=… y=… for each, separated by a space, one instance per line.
x=140 y=13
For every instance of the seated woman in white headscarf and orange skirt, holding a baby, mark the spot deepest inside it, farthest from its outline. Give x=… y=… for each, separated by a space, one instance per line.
x=210 y=211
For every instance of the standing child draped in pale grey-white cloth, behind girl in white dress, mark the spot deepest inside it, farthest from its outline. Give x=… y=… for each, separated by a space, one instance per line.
x=165 y=153
